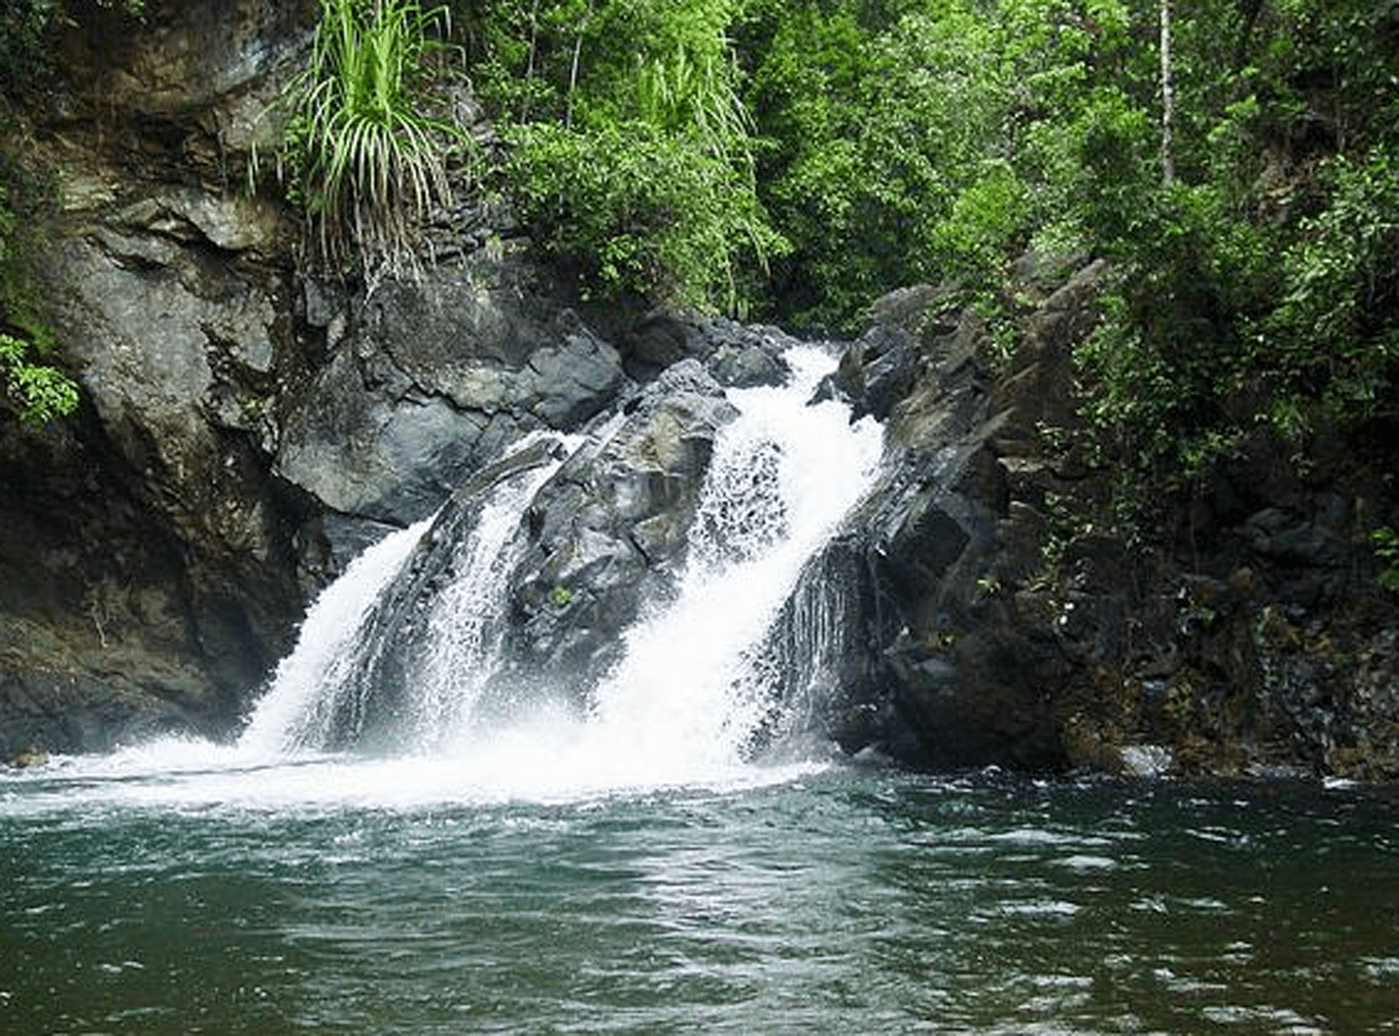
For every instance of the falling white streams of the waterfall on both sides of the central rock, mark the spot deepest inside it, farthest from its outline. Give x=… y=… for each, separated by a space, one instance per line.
x=692 y=686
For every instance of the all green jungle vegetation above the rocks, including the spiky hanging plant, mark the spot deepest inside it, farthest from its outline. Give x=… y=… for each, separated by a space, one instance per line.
x=791 y=160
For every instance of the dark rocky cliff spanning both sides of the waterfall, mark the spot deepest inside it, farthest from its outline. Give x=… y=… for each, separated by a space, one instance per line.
x=248 y=427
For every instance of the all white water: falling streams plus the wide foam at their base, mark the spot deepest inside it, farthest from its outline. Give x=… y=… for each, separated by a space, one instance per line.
x=676 y=711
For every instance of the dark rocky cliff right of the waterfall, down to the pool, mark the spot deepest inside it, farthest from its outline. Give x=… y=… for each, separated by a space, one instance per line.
x=995 y=606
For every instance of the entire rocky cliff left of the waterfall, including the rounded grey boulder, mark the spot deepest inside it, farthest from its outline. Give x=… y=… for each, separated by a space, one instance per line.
x=247 y=429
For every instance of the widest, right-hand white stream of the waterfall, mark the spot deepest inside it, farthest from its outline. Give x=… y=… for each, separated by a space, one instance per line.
x=695 y=684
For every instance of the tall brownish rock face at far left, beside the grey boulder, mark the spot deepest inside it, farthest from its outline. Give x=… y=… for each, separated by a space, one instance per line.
x=149 y=570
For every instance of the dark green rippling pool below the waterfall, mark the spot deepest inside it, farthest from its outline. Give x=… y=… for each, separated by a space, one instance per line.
x=229 y=901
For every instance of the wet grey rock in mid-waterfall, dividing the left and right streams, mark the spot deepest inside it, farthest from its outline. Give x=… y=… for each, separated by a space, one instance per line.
x=605 y=536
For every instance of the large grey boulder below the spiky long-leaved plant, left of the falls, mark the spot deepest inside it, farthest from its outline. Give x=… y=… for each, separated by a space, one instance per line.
x=434 y=382
